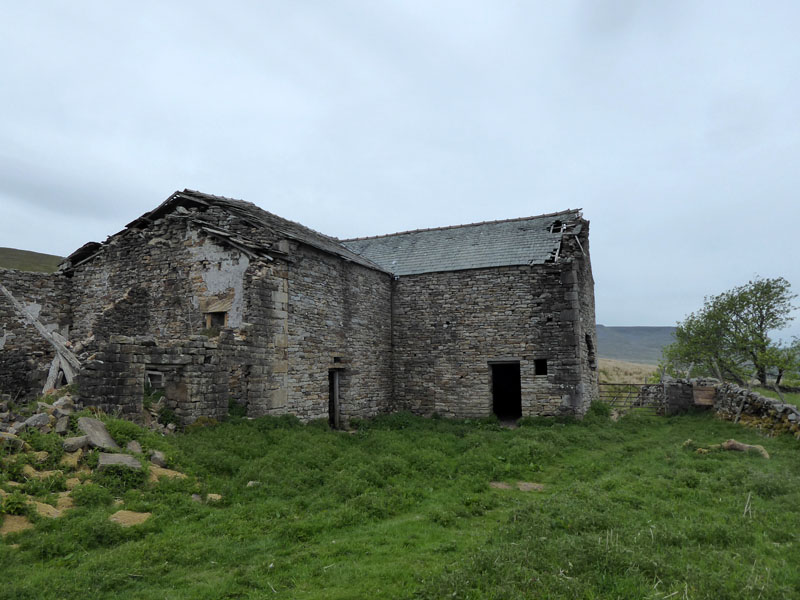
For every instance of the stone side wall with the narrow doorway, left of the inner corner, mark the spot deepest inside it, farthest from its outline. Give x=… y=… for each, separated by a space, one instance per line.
x=339 y=317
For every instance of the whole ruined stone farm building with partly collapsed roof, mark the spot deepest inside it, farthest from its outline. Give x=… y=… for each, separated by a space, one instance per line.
x=214 y=299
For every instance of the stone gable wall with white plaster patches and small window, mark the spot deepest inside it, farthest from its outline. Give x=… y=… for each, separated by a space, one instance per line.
x=154 y=282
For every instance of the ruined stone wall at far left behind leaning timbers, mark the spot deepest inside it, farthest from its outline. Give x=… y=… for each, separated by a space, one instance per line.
x=25 y=356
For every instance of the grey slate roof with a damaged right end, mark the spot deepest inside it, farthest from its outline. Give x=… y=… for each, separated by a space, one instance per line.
x=475 y=246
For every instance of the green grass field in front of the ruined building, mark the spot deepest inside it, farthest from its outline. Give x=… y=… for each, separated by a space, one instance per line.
x=402 y=508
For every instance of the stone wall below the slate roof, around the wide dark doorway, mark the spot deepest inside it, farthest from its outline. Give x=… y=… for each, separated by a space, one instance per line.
x=449 y=326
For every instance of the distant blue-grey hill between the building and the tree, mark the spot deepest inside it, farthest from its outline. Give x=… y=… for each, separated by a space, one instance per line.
x=633 y=344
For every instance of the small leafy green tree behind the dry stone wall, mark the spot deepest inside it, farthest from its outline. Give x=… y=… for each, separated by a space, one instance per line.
x=729 y=337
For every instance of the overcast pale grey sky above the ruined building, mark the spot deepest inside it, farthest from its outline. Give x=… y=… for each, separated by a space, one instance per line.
x=674 y=124
